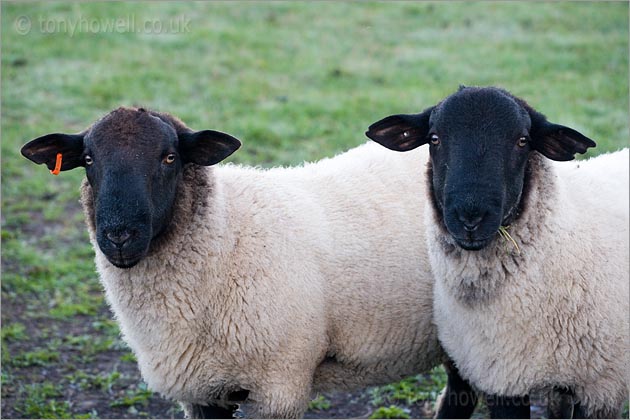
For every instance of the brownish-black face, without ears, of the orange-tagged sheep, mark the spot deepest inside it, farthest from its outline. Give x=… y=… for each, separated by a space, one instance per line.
x=133 y=197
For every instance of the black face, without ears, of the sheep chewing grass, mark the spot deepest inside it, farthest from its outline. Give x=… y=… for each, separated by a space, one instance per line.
x=479 y=144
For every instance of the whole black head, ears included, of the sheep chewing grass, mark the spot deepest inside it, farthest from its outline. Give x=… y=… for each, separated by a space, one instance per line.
x=480 y=140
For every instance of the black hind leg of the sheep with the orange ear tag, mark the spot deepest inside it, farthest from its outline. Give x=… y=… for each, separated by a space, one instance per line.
x=458 y=399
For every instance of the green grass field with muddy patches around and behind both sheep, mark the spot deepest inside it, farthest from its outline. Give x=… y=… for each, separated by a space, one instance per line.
x=294 y=81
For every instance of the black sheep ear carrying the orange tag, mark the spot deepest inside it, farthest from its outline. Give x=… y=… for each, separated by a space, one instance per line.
x=46 y=148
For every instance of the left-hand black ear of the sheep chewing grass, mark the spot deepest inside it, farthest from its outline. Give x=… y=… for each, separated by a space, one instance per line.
x=401 y=132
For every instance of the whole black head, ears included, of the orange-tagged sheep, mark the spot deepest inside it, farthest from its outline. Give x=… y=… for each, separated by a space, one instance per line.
x=133 y=161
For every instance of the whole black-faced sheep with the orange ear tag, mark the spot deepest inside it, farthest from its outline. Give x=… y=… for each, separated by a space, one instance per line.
x=236 y=285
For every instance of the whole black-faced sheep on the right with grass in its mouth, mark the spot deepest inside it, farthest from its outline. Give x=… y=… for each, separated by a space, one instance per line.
x=530 y=256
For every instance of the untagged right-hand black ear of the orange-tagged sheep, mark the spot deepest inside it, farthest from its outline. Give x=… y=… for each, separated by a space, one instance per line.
x=206 y=147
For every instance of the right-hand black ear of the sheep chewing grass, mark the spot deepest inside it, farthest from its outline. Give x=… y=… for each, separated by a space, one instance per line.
x=557 y=142
